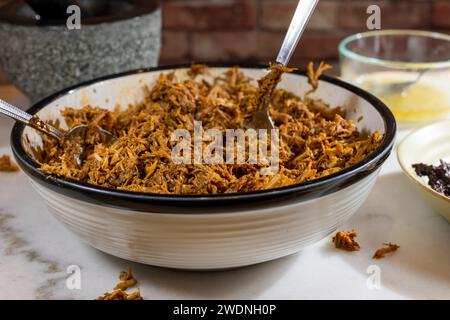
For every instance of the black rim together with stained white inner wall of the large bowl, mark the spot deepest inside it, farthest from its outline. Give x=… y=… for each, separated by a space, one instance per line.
x=367 y=112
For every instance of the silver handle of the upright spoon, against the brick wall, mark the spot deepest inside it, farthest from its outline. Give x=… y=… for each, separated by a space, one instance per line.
x=298 y=24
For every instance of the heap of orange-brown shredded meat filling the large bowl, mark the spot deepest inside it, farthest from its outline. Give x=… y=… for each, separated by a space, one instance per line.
x=315 y=140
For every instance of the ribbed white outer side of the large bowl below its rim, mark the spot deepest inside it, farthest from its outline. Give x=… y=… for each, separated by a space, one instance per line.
x=210 y=240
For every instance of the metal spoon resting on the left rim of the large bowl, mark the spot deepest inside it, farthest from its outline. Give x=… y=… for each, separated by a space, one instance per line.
x=36 y=123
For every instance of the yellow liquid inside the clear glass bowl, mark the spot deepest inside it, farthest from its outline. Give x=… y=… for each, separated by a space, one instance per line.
x=424 y=101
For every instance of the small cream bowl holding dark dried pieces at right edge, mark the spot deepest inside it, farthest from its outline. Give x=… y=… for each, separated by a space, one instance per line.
x=427 y=145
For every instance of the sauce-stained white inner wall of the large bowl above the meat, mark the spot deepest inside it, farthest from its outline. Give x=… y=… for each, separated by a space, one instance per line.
x=129 y=89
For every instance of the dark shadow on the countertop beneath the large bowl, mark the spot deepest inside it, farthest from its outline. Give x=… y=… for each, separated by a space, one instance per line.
x=239 y=283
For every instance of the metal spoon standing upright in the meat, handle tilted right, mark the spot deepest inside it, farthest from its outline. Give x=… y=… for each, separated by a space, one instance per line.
x=261 y=118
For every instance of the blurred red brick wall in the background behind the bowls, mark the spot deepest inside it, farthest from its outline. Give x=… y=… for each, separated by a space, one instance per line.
x=239 y=30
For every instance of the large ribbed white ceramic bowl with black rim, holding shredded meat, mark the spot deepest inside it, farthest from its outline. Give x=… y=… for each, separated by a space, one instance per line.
x=206 y=232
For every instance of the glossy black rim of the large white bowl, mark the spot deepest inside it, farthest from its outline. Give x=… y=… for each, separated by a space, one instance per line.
x=161 y=202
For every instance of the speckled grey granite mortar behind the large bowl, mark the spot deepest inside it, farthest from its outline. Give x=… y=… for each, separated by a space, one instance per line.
x=42 y=57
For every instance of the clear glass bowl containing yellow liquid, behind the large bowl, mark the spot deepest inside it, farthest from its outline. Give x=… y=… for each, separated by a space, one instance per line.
x=409 y=70
